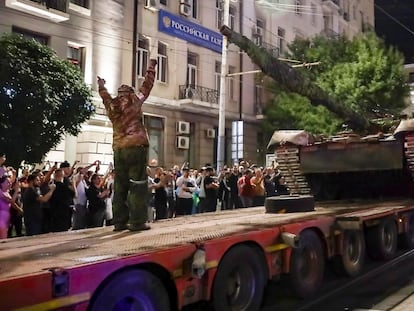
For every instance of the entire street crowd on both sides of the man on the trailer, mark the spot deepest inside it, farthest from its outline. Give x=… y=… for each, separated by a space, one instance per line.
x=64 y=197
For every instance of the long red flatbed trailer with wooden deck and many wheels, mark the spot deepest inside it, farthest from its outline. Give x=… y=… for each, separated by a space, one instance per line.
x=225 y=257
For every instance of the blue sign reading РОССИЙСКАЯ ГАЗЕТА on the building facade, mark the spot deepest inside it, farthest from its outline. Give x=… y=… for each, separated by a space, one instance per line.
x=191 y=32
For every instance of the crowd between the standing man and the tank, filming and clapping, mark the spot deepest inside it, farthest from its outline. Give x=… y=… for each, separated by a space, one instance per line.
x=184 y=191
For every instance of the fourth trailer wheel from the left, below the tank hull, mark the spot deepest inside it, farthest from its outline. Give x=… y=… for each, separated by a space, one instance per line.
x=353 y=257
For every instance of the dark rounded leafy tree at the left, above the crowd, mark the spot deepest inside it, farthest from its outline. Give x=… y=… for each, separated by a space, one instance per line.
x=42 y=98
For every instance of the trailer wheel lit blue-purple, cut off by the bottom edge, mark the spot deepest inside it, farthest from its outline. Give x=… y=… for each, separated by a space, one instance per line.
x=132 y=290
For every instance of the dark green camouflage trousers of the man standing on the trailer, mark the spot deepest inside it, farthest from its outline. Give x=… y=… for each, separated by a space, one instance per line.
x=130 y=186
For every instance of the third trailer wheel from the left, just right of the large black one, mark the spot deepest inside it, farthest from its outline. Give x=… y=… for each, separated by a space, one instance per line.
x=307 y=264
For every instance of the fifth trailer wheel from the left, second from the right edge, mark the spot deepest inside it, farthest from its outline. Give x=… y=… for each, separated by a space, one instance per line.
x=382 y=240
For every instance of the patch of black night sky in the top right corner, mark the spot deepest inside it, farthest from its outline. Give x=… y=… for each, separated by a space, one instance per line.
x=394 y=22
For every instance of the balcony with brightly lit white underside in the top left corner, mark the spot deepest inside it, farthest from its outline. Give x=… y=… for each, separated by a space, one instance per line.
x=54 y=10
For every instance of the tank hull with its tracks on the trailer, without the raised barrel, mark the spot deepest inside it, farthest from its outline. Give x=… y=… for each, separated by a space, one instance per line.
x=347 y=166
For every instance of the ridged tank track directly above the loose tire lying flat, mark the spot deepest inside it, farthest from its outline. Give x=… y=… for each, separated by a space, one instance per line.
x=289 y=166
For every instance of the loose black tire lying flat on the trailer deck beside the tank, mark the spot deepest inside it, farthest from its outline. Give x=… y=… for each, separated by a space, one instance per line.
x=290 y=204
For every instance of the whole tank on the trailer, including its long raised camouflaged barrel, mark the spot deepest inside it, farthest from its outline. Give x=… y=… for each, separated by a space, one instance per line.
x=345 y=166
